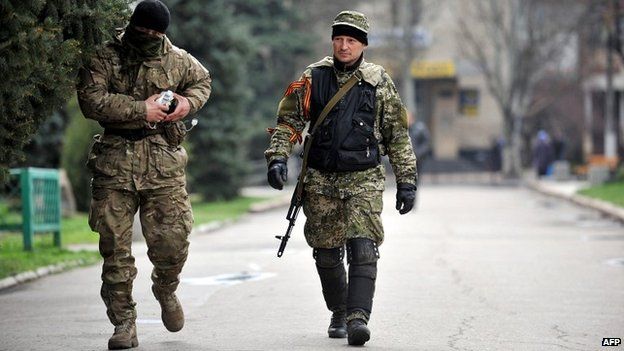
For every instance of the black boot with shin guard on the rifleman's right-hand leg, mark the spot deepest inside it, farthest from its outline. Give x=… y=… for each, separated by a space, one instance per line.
x=362 y=256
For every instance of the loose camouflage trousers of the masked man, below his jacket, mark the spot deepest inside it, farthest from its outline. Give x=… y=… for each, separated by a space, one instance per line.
x=166 y=221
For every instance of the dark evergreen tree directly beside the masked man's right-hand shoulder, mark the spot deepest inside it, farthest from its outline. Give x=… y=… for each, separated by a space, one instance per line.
x=209 y=30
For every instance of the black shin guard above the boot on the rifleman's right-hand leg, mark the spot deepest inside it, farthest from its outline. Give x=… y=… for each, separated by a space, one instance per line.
x=362 y=256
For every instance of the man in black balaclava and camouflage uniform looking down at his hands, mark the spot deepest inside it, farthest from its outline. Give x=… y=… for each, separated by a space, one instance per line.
x=138 y=162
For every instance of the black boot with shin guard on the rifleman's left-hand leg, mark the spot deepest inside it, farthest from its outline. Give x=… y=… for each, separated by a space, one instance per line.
x=334 y=282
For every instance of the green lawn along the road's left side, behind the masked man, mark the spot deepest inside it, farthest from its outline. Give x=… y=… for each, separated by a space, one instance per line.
x=75 y=230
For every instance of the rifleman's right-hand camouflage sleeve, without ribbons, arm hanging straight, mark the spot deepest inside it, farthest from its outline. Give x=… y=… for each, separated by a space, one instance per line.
x=395 y=134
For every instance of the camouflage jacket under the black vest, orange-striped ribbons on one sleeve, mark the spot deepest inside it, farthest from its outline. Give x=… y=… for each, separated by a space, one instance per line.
x=390 y=129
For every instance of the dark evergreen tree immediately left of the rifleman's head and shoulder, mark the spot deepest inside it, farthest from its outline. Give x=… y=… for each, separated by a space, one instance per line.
x=280 y=42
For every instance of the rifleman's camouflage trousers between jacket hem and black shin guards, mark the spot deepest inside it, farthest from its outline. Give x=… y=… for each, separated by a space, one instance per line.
x=331 y=221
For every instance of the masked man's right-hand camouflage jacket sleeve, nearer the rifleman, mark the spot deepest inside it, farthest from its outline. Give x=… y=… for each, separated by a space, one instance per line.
x=197 y=86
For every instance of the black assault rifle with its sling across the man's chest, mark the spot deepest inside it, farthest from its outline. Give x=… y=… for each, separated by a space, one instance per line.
x=297 y=200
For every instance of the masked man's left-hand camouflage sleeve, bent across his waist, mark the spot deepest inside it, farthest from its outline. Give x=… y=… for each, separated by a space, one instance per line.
x=96 y=102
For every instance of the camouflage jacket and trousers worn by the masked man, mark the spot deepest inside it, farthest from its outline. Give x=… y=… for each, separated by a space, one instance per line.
x=148 y=173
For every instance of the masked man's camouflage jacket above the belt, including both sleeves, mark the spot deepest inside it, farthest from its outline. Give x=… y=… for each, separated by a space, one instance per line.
x=109 y=94
